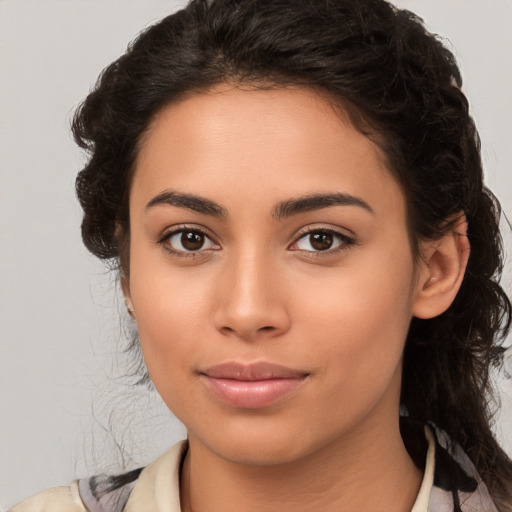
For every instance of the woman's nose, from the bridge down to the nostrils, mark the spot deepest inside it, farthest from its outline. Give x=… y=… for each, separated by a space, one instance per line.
x=251 y=303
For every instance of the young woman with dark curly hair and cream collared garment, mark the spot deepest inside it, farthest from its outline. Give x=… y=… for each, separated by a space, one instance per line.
x=293 y=193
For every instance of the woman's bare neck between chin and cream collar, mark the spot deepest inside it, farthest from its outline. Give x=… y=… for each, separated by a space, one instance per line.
x=368 y=471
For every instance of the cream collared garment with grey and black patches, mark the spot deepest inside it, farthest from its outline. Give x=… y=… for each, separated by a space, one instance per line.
x=450 y=484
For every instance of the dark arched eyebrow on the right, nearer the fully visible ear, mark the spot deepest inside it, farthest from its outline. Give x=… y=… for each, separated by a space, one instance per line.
x=317 y=202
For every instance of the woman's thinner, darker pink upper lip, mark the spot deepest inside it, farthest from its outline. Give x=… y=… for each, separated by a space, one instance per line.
x=253 y=371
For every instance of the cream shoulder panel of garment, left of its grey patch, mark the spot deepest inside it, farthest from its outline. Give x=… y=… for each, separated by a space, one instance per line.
x=57 y=499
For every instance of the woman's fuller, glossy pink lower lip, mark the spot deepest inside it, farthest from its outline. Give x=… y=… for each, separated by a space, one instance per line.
x=252 y=394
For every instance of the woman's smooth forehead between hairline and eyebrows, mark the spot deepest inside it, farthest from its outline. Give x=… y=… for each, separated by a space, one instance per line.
x=273 y=144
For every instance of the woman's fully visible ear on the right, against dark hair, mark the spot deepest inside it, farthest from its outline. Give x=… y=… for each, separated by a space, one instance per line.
x=441 y=271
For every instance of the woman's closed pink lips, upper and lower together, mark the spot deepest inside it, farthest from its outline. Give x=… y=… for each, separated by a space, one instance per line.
x=252 y=386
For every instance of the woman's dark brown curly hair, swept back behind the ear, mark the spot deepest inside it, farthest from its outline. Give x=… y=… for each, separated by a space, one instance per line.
x=401 y=87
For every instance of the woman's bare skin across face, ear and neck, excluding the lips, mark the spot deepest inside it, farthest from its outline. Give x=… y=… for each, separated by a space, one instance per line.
x=258 y=289
